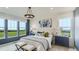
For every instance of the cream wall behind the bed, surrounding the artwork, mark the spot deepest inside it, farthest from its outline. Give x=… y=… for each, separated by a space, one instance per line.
x=35 y=24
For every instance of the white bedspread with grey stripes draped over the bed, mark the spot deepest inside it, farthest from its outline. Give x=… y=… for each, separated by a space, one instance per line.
x=41 y=43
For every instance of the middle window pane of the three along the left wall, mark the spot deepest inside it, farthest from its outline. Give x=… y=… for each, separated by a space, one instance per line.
x=12 y=28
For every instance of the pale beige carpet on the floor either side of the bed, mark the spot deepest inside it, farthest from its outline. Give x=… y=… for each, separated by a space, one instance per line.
x=11 y=47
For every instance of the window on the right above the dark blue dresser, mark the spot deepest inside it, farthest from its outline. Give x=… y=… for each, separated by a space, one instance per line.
x=65 y=26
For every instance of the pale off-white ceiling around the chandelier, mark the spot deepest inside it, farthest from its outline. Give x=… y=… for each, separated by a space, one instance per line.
x=20 y=11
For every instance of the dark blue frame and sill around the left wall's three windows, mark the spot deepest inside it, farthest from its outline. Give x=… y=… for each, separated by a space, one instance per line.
x=11 y=39
